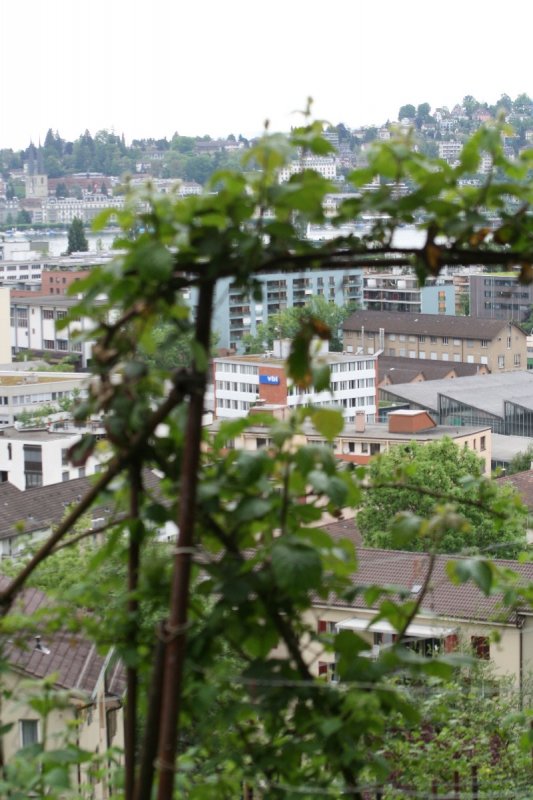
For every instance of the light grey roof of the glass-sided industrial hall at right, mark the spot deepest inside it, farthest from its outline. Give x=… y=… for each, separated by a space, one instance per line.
x=484 y=392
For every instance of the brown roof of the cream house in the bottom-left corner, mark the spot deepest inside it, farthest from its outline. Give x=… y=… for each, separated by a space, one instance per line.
x=73 y=657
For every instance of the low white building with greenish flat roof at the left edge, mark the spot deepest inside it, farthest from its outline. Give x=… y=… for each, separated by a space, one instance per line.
x=27 y=391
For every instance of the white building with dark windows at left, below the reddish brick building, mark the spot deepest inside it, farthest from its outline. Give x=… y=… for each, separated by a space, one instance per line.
x=33 y=327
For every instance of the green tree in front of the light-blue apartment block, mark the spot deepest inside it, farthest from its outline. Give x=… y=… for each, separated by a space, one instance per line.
x=285 y=324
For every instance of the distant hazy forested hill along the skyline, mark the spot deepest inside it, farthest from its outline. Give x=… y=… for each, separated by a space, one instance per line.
x=195 y=158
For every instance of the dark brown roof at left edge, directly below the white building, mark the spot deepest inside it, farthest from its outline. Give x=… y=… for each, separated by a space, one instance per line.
x=44 y=506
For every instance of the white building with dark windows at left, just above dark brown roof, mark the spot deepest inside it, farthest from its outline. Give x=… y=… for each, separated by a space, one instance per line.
x=39 y=457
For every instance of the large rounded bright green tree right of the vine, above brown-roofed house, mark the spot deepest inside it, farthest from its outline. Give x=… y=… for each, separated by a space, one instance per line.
x=438 y=469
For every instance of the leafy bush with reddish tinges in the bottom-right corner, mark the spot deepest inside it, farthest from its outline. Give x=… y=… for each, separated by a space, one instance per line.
x=475 y=721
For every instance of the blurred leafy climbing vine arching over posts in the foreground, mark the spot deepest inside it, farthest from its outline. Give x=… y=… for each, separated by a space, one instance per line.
x=249 y=562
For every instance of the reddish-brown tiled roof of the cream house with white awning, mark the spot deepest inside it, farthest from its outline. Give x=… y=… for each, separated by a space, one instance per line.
x=398 y=568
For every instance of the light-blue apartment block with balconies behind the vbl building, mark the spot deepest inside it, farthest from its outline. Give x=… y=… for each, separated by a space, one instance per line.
x=238 y=313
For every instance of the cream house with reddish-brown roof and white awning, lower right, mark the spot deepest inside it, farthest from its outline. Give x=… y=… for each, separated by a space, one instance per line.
x=450 y=615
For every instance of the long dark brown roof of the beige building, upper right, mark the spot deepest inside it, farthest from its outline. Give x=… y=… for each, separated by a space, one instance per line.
x=426 y=324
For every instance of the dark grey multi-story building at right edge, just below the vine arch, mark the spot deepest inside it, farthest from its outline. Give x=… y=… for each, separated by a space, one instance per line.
x=500 y=296
